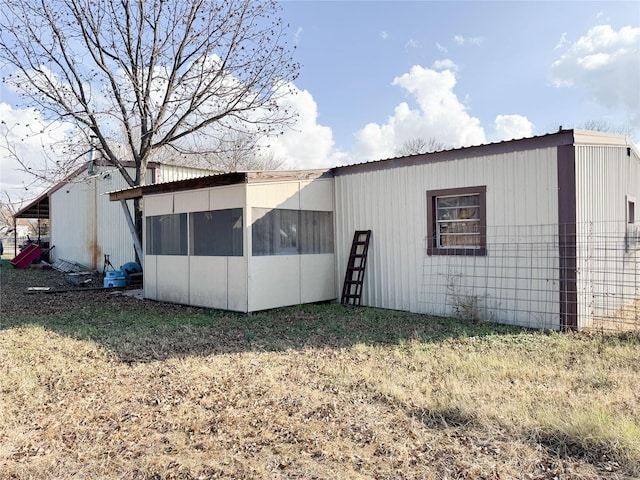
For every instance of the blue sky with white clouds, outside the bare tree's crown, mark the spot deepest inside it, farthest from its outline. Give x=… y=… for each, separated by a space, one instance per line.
x=377 y=73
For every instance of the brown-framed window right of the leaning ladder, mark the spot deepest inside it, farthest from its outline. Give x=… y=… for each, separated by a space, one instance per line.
x=457 y=221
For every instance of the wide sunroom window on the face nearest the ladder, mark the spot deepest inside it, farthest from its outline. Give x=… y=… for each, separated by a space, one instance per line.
x=291 y=232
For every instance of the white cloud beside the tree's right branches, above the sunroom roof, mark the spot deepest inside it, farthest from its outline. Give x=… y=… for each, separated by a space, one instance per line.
x=308 y=144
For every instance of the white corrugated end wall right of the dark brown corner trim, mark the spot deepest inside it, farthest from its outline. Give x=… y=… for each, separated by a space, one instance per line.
x=607 y=275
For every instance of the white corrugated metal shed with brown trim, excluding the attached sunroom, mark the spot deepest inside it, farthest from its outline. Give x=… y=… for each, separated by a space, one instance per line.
x=539 y=232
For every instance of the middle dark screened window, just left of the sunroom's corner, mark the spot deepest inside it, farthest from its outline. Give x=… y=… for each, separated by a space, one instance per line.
x=216 y=233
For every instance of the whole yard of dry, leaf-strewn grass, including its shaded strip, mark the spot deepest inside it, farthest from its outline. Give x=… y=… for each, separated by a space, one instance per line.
x=99 y=385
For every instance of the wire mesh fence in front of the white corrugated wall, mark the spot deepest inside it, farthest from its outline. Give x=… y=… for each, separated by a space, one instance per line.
x=578 y=276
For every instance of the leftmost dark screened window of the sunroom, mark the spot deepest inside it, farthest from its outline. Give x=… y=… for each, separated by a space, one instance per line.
x=167 y=234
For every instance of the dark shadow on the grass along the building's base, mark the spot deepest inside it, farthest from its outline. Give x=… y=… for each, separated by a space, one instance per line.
x=144 y=330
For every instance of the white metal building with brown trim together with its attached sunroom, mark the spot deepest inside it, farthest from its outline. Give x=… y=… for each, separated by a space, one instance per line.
x=540 y=232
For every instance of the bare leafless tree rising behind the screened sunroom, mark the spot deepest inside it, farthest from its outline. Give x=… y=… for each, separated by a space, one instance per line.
x=176 y=74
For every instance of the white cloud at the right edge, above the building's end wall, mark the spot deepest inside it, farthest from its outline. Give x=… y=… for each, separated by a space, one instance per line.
x=606 y=65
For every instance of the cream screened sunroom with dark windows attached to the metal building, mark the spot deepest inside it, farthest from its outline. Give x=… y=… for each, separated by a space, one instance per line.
x=240 y=241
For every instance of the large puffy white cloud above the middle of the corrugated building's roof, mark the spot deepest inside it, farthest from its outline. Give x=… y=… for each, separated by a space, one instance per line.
x=440 y=115
